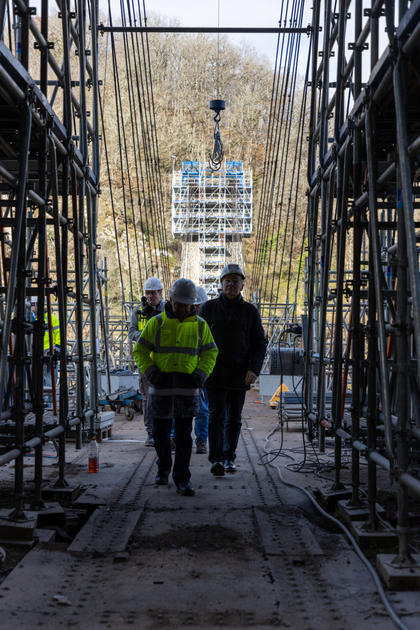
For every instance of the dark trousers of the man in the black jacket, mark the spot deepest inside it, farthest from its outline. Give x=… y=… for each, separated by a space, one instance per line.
x=225 y=407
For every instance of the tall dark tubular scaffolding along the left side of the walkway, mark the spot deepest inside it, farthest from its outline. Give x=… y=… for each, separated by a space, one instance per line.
x=49 y=170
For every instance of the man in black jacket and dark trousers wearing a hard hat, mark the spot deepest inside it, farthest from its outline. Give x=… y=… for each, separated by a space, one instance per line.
x=239 y=335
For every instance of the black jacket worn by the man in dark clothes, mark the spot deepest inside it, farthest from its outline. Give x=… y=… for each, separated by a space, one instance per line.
x=239 y=335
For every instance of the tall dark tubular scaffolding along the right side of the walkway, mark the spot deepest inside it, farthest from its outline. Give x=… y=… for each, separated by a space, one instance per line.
x=364 y=210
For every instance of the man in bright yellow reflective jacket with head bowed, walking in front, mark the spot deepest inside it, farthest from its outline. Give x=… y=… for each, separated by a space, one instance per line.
x=176 y=353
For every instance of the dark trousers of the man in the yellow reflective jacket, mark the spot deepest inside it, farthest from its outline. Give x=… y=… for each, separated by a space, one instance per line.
x=183 y=446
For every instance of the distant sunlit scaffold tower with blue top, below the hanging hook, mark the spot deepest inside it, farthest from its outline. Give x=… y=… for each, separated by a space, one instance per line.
x=212 y=213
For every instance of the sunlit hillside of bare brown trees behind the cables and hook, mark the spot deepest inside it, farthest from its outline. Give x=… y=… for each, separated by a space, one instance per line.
x=184 y=75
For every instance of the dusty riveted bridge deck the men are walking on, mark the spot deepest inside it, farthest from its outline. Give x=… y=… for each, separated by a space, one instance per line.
x=245 y=552
